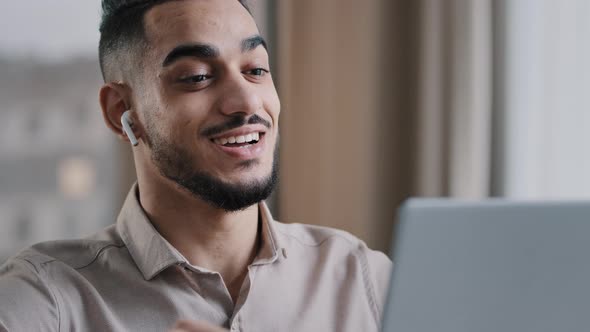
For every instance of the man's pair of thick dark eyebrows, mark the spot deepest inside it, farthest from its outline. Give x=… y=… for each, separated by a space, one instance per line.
x=206 y=51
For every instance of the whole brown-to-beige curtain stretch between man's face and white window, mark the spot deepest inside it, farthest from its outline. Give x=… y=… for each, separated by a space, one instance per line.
x=381 y=100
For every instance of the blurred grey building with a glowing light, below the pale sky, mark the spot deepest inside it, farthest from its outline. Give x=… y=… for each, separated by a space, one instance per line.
x=58 y=165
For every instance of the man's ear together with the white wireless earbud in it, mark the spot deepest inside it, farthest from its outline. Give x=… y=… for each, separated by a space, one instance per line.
x=115 y=105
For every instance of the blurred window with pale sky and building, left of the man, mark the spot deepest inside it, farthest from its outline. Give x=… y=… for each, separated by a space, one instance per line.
x=58 y=161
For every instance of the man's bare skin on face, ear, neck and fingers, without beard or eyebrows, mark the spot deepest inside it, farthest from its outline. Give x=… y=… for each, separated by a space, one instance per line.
x=175 y=105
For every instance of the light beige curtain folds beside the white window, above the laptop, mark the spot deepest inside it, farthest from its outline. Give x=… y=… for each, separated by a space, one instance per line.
x=454 y=98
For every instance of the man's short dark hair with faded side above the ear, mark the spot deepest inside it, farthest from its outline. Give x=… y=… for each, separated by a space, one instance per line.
x=122 y=31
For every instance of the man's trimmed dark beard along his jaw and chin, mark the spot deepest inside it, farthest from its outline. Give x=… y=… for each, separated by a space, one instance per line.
x=176 y=164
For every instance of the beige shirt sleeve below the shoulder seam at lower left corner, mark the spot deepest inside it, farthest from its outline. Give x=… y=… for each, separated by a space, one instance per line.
x=26 y=301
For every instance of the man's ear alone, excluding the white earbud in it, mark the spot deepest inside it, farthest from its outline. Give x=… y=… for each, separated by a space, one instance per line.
x=115 y=99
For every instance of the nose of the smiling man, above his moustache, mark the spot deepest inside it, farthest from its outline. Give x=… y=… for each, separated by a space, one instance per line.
x=239 y=97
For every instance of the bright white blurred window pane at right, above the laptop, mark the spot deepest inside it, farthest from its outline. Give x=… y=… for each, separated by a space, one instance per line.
x=547 y=104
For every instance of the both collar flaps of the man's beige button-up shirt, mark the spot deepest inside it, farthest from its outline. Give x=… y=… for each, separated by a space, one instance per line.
x=153 y=254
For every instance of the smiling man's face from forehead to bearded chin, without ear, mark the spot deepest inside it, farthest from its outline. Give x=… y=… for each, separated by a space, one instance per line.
x=208 y=103
